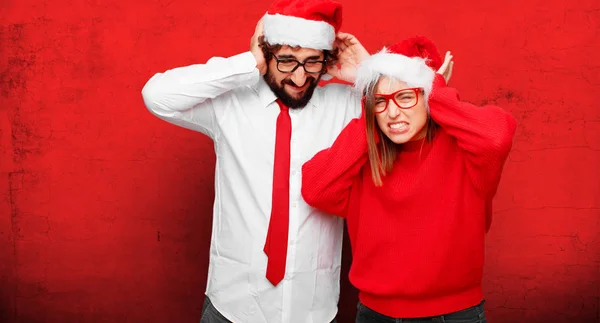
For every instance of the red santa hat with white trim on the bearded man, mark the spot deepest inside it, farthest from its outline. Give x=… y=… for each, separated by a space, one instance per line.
x=304 y=23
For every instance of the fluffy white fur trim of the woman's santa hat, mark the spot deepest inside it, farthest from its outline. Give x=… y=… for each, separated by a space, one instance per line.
x=412 y=71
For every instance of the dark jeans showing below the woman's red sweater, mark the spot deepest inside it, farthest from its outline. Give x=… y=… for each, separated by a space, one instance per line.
x=473 y=314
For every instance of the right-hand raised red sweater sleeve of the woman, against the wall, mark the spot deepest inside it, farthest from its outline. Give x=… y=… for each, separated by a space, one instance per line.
x=484 y=134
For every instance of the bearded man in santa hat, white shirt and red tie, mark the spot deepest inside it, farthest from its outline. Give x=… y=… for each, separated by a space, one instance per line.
x=272 y=257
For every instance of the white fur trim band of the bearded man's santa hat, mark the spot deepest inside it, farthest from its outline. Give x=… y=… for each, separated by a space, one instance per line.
x=294 y=31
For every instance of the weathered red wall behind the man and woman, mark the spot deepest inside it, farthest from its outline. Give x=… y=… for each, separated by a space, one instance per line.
x=105 y=211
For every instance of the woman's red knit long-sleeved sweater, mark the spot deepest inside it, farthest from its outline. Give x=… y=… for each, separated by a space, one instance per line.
x=418 y=240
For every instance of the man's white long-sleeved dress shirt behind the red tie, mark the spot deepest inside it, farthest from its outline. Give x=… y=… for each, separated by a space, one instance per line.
x=228 y=100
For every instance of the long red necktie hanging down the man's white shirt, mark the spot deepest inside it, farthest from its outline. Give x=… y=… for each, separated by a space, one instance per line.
x=277 y=235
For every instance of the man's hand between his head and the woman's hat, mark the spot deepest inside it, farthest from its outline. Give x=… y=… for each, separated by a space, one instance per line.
x=351 y=53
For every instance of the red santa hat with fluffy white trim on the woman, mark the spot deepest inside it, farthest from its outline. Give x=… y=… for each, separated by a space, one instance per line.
x=413 y=61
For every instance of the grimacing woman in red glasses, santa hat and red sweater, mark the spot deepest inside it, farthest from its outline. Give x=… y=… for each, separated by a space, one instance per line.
x=414 y=177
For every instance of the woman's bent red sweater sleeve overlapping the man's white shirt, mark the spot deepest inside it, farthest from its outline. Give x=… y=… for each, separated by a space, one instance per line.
x=328 y=177
